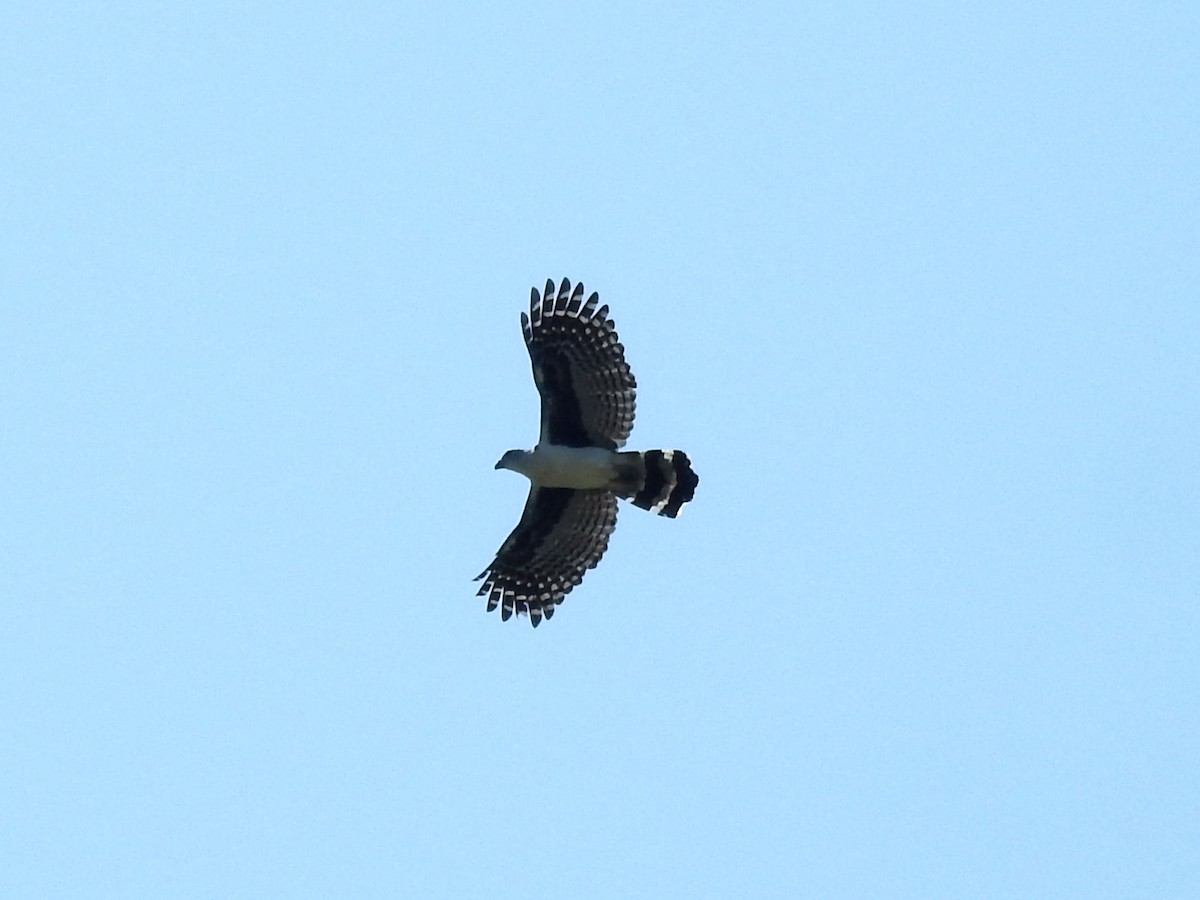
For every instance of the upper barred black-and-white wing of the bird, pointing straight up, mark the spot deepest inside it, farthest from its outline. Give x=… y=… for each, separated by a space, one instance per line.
x=579 y=365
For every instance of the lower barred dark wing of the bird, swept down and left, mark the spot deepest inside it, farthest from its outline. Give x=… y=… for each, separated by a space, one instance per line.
x=561 y=536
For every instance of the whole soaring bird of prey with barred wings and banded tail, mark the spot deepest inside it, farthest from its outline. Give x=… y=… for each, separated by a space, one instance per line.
x=578 y=470
